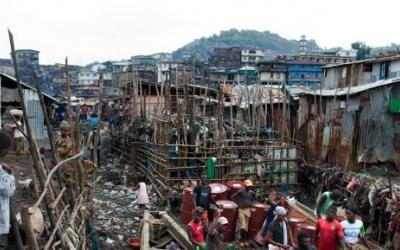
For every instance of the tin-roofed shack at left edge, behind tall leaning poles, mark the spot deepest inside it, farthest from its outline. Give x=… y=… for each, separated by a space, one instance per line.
x=10 y=100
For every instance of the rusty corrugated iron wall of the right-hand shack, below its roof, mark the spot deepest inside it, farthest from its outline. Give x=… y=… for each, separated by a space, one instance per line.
x=359 y=131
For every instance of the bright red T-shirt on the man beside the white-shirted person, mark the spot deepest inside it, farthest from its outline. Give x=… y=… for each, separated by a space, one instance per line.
x=329 y=234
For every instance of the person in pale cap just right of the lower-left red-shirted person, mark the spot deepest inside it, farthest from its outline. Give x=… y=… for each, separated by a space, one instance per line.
x=215 y=234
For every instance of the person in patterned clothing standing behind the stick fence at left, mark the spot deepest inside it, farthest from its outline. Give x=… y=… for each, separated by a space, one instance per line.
x=64 y=148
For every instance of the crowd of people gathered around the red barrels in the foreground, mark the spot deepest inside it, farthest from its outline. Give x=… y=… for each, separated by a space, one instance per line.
x=330 y=233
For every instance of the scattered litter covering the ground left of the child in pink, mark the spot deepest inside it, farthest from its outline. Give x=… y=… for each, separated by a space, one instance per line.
x=117 y=214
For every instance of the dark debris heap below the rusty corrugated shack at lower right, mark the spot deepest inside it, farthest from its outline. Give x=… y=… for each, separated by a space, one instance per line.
x=376 y=198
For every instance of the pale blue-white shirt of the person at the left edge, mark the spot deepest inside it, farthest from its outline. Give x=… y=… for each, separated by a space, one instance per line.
x=7 y=188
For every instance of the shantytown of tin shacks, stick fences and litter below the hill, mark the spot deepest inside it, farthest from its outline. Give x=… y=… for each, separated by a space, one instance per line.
x=288 y=142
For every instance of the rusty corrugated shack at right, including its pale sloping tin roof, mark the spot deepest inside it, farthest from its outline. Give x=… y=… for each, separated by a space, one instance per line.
x=353 y=127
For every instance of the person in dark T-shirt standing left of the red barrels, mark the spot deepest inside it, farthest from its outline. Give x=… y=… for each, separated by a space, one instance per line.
x=202 y=198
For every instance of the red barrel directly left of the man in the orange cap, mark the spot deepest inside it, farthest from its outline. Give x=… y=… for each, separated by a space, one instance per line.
x=230 y=212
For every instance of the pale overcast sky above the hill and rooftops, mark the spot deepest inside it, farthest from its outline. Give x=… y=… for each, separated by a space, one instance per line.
x=89 y=30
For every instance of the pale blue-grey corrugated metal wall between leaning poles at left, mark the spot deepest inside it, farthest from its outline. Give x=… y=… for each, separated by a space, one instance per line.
x=36 y=119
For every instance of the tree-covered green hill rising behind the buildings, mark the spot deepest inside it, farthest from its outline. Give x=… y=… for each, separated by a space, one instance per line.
x=251 y=39
